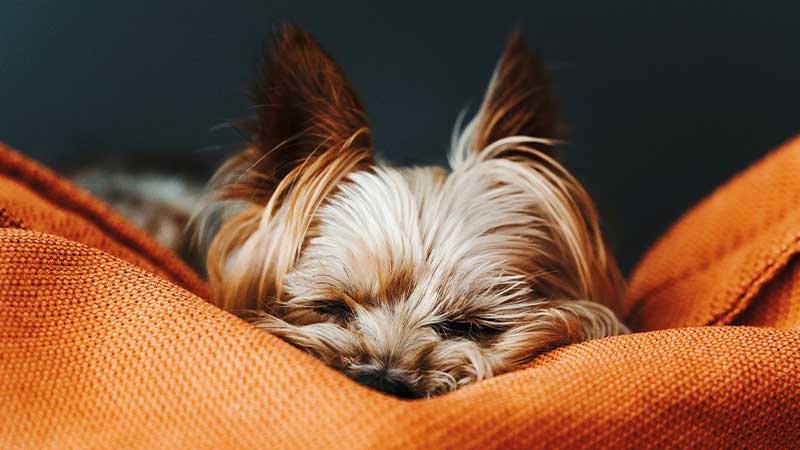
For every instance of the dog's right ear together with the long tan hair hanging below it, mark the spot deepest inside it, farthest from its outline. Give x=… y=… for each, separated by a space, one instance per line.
x=513 y=136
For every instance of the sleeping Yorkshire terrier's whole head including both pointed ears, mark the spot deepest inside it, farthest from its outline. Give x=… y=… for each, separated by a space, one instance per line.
x=413 y=281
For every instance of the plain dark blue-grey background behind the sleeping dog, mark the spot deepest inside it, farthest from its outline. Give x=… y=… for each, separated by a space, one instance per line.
x=665 y=99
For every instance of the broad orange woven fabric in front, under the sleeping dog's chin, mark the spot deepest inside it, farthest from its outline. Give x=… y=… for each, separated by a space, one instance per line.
x=98 y=350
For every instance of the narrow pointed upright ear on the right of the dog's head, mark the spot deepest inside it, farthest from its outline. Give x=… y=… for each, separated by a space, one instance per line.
x=518 y=102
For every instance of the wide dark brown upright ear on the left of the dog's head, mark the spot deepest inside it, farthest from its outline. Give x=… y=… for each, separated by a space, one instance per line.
x=306 y=109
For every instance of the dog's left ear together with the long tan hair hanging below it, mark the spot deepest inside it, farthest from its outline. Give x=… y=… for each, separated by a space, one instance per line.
x=310 y=132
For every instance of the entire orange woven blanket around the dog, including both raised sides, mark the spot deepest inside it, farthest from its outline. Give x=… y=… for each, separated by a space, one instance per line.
x=105 y=341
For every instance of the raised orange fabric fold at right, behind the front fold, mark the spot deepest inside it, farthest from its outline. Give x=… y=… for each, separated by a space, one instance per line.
x=722 y=257
